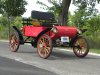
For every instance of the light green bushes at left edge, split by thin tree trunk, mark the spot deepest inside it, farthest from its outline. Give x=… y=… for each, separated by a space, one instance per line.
x=4 y=26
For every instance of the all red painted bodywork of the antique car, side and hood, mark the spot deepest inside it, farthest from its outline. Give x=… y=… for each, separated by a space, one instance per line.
x=34 y=31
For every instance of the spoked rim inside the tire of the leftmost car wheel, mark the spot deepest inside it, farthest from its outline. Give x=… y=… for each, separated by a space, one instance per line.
x=13 y=43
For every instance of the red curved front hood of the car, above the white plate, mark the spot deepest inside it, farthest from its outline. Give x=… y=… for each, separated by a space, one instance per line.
x=64 y=31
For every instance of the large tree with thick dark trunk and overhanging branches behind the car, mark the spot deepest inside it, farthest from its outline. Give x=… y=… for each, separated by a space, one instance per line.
x=63 y=7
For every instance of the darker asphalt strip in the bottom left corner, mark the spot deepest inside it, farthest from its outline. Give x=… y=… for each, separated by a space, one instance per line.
x=12 y=67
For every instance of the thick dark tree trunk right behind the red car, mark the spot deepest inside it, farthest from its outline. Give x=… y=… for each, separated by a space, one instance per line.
x=64 y=15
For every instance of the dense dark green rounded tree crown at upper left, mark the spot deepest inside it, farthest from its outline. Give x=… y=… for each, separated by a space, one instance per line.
x=15 y=7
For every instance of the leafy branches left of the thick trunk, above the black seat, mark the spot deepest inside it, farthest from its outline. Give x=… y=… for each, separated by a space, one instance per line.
x=55 y=9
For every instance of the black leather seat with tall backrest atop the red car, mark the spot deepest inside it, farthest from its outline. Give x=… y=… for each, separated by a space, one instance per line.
x=48 y=17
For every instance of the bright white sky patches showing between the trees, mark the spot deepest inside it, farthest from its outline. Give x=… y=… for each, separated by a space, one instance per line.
x=33 y=6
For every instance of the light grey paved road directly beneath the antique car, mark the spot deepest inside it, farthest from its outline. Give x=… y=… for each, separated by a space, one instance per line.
x=60 y=62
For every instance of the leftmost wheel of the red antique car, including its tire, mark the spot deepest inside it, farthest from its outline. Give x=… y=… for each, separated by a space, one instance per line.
x=14 y=42
